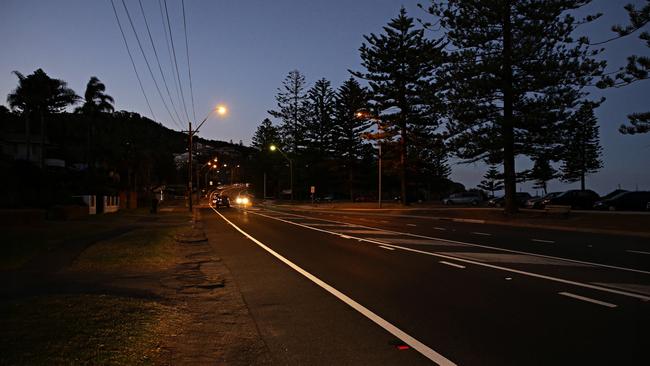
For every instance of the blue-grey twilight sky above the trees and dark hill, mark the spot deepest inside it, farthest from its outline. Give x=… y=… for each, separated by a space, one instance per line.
x=240 y=50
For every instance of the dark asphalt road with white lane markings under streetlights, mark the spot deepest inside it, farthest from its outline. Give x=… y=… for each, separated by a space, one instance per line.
x=332 y=288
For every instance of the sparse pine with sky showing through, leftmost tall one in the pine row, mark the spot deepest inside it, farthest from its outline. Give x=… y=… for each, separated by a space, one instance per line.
x=292 y=111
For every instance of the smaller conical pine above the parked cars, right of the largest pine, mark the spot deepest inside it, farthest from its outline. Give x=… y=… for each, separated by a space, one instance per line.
x=582 y=153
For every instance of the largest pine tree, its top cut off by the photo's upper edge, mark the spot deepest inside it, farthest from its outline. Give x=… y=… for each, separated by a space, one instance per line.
x=514 y=77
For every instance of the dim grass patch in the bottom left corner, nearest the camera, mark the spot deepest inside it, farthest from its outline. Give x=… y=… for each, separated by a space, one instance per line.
x=80 y=330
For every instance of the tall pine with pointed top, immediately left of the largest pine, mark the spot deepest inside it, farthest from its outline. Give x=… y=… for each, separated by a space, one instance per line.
x=399 y=65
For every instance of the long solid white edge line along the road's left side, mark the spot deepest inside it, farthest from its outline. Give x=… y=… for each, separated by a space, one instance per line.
x=403 y=336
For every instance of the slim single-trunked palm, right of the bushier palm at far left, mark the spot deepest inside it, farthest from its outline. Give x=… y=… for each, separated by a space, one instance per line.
x=96 y=102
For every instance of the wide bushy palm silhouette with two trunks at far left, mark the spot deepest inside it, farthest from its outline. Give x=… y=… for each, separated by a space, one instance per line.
x=39 y=94
